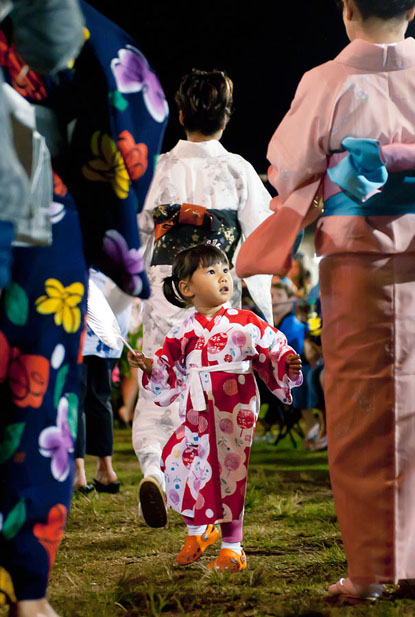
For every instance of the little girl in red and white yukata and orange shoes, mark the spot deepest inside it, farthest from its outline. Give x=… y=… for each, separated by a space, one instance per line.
x=207 y=362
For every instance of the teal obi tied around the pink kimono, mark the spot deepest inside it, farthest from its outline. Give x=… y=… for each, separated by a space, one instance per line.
x=361 y=174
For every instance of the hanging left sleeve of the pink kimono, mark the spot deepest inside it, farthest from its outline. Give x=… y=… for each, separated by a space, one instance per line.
x=298 y=154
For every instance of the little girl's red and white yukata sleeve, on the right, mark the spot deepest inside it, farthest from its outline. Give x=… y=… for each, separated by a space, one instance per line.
x=270 y=362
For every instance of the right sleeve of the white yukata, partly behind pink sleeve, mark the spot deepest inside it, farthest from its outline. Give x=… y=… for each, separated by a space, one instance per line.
x=253 y=211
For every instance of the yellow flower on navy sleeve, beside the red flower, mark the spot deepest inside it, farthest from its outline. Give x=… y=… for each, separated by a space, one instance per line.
x=108 y=166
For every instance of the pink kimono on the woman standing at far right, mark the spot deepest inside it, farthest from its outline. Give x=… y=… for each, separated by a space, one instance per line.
x=366 y=237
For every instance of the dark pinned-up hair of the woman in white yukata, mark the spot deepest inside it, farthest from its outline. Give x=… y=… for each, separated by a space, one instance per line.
x=205 y=100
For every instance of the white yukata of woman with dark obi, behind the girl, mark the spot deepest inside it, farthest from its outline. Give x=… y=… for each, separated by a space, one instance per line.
x=206 y=174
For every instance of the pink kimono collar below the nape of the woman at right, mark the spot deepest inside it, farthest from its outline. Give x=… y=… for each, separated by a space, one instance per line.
x=367 y=56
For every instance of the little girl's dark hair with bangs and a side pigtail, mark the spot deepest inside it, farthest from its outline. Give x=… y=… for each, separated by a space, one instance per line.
x=185 y=264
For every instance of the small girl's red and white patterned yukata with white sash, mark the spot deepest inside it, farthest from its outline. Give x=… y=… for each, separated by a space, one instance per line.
x=208 y=364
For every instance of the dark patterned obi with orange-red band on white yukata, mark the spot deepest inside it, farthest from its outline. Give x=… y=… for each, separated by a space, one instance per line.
x=179 y=226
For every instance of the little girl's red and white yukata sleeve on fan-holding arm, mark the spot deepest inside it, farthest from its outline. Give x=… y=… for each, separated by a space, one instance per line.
x=168 y=377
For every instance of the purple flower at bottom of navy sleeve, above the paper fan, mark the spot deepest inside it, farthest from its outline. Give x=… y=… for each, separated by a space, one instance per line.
x=123 y=262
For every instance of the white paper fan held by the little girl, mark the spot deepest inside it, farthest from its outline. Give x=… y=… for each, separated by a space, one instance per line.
x=102 y=320
